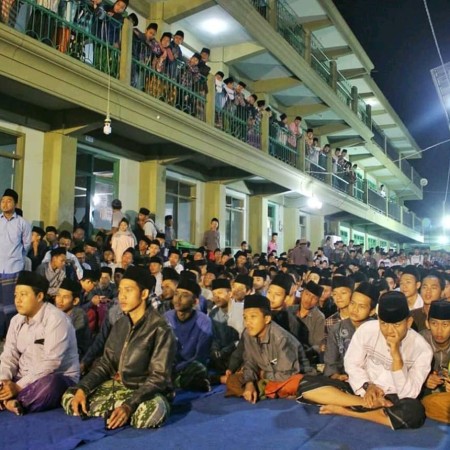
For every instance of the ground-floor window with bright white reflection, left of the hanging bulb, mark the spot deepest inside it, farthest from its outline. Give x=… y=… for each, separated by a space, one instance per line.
x=96 y=185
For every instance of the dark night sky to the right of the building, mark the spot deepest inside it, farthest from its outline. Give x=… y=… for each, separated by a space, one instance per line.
x=398 y=39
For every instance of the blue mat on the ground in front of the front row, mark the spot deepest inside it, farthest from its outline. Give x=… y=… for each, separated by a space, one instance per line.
x=210 y=421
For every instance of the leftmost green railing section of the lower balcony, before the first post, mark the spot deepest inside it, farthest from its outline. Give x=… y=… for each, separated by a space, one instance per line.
x=76 y=29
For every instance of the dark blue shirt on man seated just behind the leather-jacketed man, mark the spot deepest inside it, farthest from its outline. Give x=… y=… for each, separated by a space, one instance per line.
x=194 y=337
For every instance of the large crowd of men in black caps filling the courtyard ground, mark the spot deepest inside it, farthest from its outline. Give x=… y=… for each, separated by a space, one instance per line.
x=112 y=331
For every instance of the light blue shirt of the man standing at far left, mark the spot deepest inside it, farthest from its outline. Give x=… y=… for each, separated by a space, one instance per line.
x=15 y=241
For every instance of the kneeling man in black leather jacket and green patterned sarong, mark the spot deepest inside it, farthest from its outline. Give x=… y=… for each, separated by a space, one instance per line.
x=130 y=382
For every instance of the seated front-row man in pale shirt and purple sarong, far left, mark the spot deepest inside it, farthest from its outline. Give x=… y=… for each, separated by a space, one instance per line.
x=40 y=358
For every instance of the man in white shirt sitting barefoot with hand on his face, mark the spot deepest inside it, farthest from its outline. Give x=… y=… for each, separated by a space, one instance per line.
x=387 y=364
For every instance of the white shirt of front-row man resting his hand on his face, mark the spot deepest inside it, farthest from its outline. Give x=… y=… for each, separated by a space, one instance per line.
x=368 y=359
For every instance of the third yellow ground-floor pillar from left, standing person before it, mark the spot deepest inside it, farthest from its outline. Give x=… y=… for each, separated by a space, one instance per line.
x=215 y=206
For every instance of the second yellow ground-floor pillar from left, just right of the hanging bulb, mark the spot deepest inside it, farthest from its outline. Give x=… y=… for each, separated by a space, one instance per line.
x=152 y=189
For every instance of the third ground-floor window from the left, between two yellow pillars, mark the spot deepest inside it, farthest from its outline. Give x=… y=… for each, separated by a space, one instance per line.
x=180 y=204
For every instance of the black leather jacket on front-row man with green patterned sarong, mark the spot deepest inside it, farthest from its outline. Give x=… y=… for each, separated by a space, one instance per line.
x=143 y=355
